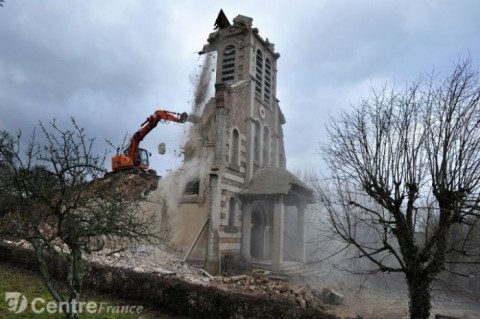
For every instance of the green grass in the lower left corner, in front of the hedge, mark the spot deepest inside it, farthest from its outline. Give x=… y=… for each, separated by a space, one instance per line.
x=31 y=286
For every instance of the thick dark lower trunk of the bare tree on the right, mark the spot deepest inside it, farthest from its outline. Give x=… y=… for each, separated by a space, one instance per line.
x=419 y=291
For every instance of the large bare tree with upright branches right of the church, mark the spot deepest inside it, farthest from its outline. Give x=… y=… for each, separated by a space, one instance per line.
x=404 y=161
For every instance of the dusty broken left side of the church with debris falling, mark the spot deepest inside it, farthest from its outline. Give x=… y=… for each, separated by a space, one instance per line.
x=185 y=191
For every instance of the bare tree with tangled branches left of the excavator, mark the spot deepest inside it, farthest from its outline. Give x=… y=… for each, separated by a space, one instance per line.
x=52 y=195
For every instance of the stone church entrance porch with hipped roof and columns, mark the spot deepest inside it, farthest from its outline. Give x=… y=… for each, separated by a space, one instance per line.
x=263 y=223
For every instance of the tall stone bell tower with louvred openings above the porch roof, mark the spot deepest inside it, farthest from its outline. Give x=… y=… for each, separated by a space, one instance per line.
x=245 y=84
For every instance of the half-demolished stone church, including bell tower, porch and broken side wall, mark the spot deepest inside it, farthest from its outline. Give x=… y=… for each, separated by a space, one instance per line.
x=236 y=203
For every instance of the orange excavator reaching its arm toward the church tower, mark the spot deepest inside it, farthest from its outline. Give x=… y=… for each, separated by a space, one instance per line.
x=135 y=157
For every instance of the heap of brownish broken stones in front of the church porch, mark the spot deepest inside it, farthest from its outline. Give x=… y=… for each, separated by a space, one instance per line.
x=258 y=282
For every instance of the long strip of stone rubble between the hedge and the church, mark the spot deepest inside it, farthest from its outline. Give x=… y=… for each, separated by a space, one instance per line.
x=258 y=282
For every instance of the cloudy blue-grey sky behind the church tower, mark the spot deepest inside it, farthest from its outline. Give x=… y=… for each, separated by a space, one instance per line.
x=111 y=63
